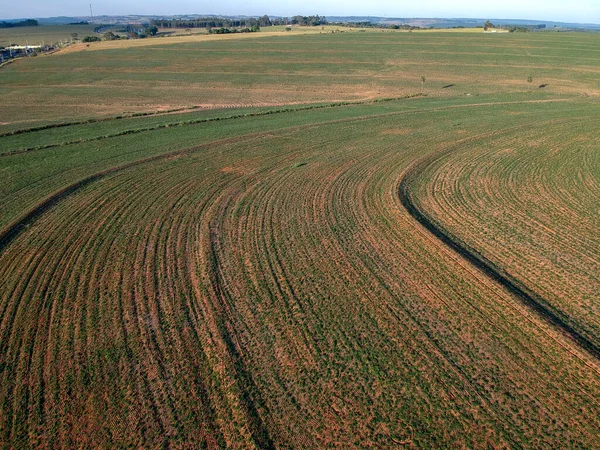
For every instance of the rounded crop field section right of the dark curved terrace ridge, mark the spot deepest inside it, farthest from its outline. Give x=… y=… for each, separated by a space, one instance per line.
x=529 y=204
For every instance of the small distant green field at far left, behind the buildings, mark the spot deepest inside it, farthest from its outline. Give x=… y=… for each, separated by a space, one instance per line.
x=47 y=34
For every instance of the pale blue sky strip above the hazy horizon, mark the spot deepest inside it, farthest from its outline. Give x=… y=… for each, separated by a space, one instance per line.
x=582 y=11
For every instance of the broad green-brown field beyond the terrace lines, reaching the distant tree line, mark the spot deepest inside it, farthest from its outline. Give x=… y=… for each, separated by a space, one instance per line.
x=268 y=69
